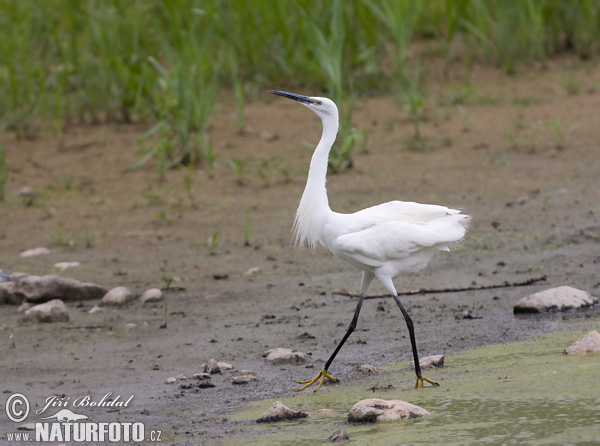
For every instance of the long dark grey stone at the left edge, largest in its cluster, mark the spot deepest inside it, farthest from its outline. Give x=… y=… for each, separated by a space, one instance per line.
x=40 y=289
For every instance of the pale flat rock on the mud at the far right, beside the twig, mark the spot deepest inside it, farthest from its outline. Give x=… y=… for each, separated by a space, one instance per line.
x=555 y=299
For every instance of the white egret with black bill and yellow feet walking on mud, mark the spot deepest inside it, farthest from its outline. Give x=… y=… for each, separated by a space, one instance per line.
x=382 y=241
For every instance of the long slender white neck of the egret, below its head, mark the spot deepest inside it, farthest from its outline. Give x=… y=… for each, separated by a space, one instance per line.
x=314 y=205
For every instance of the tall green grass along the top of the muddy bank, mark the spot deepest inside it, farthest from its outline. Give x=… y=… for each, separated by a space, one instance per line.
x=64 y=62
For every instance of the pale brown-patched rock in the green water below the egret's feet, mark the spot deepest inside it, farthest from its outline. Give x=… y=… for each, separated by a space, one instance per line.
x=374 y=410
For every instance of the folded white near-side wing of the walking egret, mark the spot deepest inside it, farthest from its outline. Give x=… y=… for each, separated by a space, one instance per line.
x=394 y=240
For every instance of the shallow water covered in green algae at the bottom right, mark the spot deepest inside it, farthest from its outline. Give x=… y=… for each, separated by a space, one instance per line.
x=526 y=392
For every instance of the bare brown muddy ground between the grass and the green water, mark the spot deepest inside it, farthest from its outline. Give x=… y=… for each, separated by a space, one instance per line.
x=520 y=154
